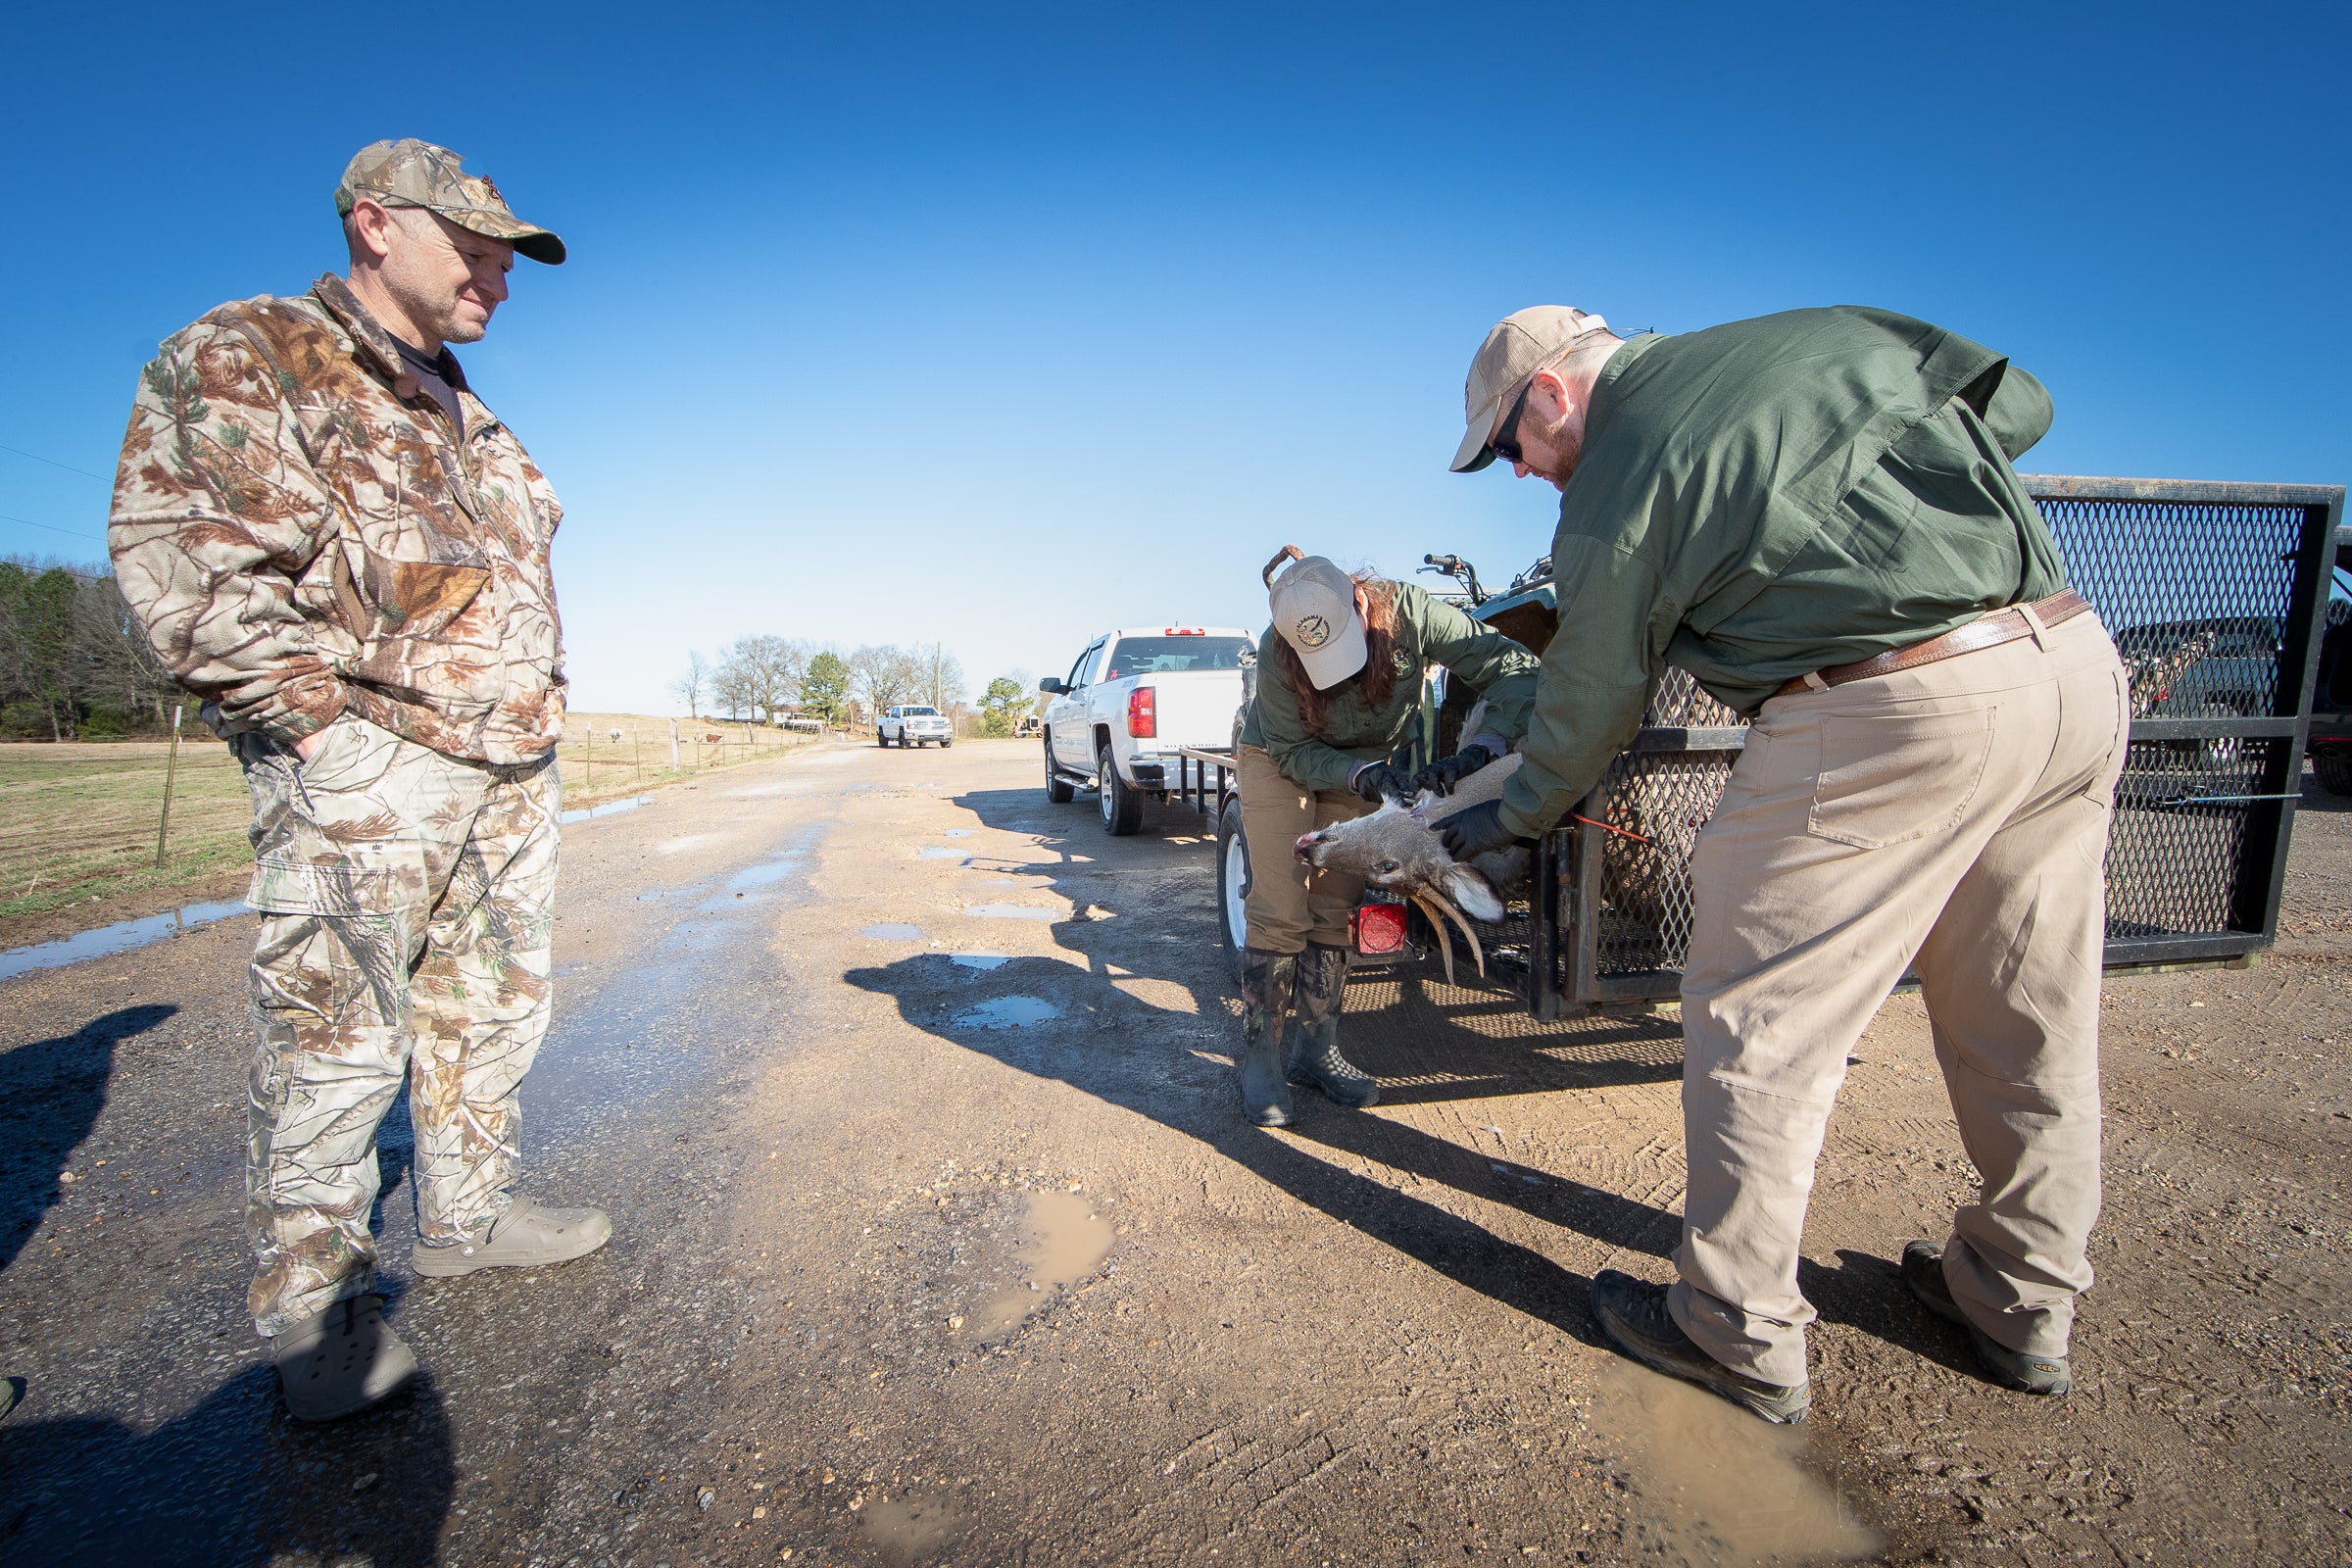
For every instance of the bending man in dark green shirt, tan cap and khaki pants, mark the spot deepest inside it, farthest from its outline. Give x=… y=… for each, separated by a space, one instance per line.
x=1817 y=516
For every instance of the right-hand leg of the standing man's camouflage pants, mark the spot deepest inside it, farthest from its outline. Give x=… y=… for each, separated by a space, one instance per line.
x=481 y=1005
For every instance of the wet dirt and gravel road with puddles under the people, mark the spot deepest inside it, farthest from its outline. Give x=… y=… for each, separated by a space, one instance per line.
x=940 y=1242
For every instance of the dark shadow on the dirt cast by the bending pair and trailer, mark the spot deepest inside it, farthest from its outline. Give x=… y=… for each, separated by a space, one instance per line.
x=1144 y=1026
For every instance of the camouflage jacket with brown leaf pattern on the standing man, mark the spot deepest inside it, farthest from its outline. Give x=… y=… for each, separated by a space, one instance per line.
x=302 y=532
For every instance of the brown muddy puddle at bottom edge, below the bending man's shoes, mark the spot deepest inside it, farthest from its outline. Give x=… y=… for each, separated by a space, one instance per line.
x=1716 y=1485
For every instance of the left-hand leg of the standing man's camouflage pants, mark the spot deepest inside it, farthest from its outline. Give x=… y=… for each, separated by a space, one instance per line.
x=352 y=852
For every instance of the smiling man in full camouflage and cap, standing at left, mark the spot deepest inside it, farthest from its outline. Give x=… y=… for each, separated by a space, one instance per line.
x=335 y=544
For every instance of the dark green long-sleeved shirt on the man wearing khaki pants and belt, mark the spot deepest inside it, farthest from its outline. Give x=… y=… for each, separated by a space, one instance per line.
x=1770 y=497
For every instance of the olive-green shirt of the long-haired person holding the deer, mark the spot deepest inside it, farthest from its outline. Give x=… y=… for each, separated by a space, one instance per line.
x=1429 y=631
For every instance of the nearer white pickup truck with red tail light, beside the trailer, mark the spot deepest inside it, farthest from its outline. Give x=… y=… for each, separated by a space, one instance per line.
x=1130 y=702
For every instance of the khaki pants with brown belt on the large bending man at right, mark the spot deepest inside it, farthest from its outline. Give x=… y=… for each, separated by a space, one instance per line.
x=1949 y=819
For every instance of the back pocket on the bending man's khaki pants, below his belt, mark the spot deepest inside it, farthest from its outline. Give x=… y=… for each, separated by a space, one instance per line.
x=1899 y=777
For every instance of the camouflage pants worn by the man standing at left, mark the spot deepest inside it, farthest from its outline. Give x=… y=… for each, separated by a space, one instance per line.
x=406 y=930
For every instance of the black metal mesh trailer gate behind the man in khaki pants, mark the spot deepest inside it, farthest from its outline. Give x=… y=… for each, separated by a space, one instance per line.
x=2217 y=598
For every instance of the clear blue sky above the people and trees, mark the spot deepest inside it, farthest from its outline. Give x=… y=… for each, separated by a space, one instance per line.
x=1003 y=326
